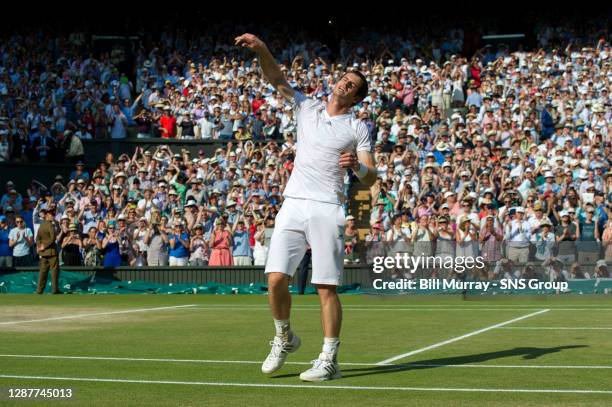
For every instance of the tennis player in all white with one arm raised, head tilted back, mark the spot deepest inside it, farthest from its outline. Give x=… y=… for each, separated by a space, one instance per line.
x=329 y=141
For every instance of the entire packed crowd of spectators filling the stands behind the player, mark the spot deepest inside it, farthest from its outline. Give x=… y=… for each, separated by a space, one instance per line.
x=504 y=153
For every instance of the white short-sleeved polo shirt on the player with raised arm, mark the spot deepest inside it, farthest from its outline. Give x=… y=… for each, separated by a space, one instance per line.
x=321 y=139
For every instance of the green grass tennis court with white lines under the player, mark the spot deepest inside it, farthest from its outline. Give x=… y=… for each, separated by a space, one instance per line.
x=207 y=350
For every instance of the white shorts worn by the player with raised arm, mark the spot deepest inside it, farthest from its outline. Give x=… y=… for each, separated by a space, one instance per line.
x=301 y=222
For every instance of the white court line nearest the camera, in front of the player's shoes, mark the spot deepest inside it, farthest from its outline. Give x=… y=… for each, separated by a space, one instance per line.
x=311 y=386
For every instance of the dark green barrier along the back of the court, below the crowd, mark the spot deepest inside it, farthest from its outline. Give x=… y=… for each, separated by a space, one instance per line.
x=233 y=281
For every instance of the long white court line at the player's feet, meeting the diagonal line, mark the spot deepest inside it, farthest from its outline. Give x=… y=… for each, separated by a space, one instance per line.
x=258 y=362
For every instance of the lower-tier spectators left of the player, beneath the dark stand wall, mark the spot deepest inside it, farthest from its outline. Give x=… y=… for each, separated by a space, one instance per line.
x=156 y=208
